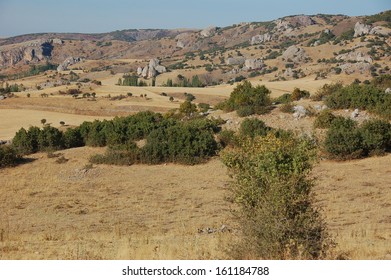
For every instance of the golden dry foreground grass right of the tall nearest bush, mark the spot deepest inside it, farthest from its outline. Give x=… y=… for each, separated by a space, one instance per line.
x=355 y=196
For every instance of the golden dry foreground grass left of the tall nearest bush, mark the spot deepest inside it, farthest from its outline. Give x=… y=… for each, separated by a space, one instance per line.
x=64 y=211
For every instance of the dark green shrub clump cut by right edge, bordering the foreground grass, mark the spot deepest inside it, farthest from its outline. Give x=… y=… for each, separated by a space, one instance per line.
x=346 y=140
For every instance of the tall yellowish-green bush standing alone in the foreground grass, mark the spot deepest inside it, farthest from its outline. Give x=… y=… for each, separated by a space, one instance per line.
x=272 y=190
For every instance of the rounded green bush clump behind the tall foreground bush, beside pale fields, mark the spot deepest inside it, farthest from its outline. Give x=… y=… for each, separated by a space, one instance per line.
x=248 y=100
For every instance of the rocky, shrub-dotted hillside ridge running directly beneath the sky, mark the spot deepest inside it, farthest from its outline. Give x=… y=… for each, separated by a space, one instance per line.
x=340 y=43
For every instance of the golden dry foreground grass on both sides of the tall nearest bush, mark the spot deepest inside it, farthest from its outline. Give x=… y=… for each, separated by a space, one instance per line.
x=75 y=211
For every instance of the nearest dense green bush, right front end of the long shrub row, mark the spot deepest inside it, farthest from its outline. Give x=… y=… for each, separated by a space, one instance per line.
x=188 y=142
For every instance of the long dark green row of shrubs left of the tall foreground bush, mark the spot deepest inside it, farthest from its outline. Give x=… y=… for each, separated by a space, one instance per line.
x=167 y=139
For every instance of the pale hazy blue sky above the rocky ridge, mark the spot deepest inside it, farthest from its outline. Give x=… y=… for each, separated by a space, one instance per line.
x=89 y=16
